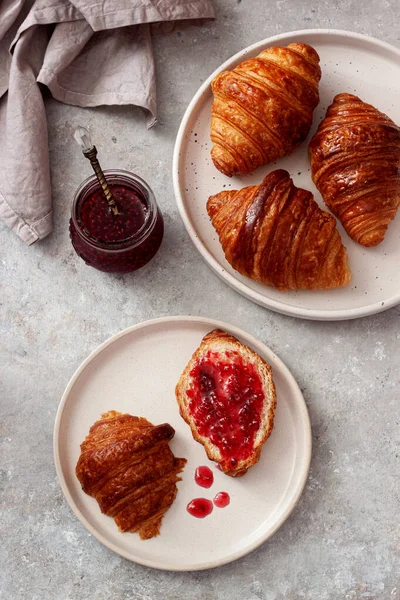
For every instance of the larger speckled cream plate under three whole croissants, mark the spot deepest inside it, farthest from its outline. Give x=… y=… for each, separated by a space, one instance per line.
x=350 y=63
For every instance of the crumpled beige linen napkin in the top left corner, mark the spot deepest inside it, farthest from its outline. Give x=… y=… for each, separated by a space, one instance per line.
x=88 y=53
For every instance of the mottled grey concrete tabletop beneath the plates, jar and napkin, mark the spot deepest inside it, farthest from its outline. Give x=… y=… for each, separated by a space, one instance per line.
x=342 y=542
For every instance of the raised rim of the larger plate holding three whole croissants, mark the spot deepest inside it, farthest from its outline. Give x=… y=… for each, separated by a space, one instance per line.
x=232 y=281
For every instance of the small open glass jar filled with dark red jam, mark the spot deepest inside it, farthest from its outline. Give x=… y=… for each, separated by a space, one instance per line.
x=117 y=243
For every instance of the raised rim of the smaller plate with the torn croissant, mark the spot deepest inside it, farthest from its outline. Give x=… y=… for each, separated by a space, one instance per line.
x=303 y=411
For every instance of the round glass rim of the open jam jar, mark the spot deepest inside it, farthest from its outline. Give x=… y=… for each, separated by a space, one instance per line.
x=114 y=176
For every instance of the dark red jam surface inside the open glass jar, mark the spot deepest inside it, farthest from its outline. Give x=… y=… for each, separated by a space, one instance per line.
x=102 y=224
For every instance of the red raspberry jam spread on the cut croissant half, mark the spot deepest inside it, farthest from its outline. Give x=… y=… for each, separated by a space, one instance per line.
x=226 y=401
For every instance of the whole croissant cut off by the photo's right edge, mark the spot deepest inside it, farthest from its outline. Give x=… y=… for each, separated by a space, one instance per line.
x=355 y=164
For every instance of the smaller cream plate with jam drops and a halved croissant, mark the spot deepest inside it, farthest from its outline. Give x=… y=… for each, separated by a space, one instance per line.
x=136 y=372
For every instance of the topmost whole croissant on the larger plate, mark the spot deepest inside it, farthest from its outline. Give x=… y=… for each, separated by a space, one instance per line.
x=263 y=108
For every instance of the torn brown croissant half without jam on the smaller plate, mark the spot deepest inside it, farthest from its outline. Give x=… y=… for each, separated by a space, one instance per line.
x=127 y=465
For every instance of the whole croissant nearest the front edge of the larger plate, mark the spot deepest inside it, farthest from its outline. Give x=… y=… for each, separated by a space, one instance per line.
x=276 y=233
